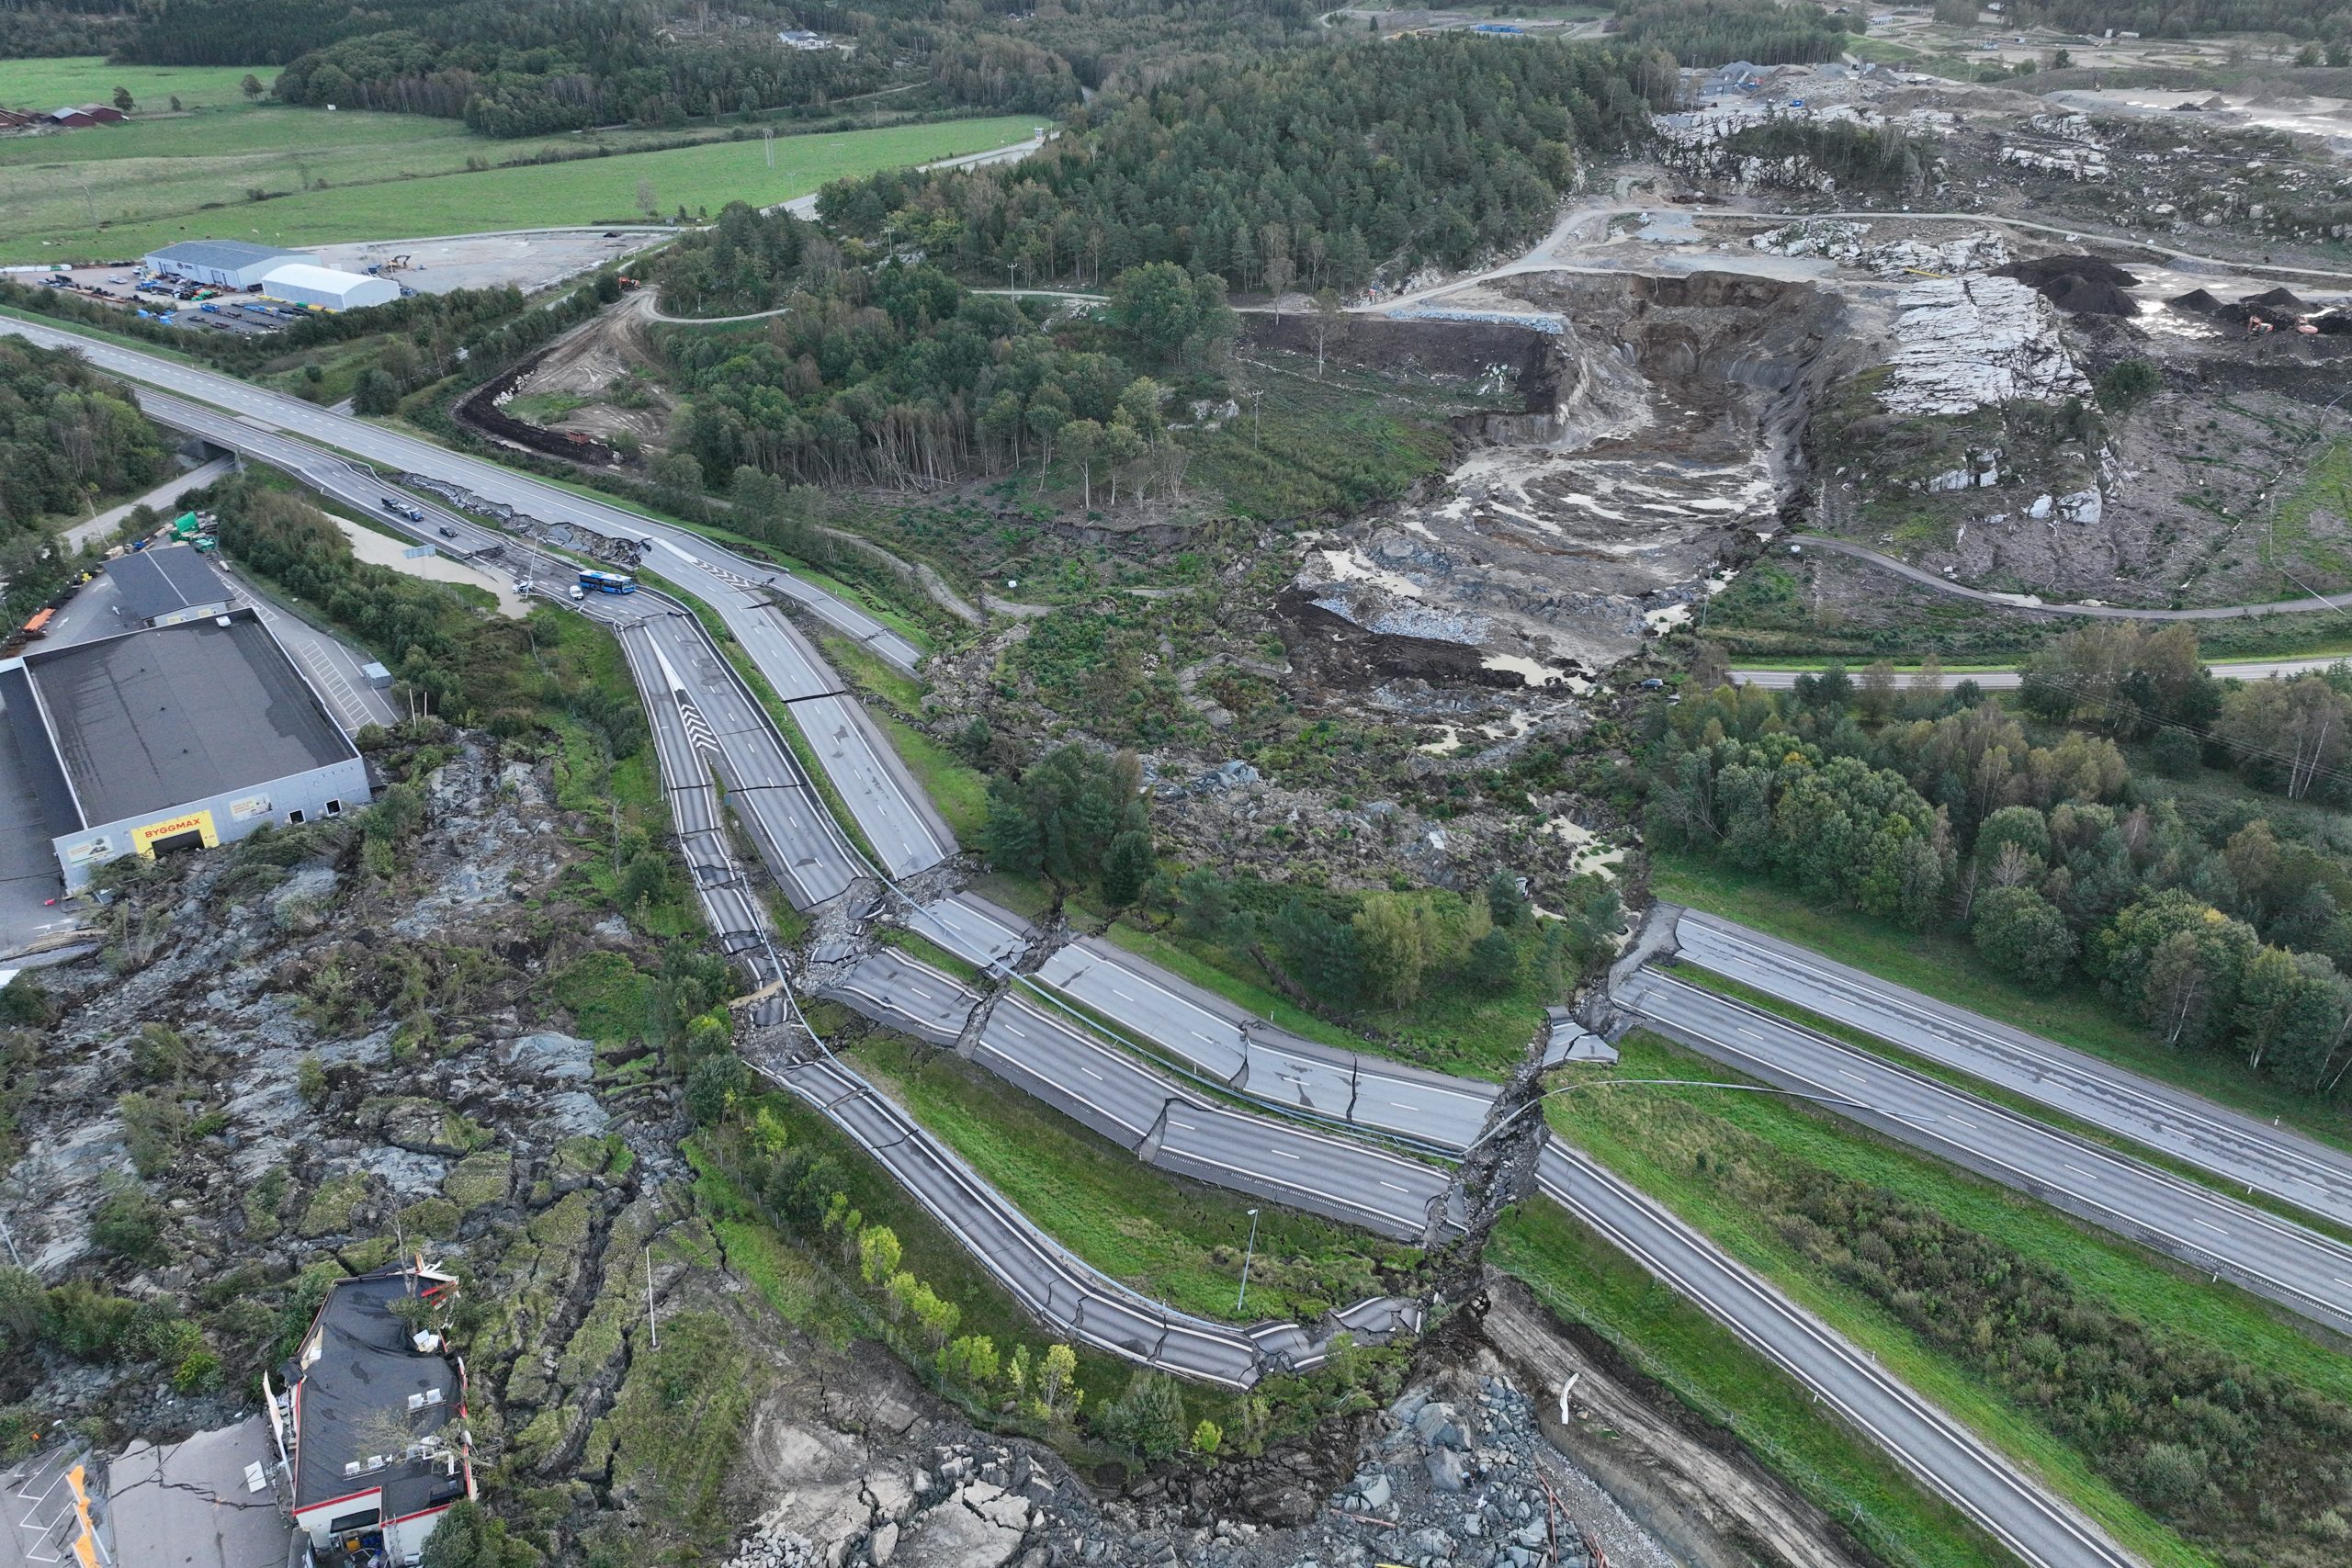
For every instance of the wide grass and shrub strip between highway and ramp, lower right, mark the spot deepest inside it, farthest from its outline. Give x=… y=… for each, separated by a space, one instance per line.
x=2012 y=1318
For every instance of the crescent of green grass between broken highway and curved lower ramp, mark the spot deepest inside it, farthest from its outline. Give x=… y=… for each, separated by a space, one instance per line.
x=1175 y=1240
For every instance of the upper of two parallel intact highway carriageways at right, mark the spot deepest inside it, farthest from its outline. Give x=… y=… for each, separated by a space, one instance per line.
x=2240 y=1148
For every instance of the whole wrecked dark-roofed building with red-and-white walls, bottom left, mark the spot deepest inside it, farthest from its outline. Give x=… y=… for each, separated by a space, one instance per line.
x=373 y=1419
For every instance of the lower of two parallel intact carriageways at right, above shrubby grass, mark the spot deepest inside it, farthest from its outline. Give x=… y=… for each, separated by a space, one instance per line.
x=2271 y=1257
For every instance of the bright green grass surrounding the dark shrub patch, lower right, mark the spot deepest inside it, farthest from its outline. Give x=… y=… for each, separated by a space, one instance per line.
x=1678 y=1146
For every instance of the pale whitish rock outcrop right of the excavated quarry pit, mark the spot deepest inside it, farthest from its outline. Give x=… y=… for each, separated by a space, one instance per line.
x=1975 y=342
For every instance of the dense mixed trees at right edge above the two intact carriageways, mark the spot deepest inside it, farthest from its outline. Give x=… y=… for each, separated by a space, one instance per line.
x=2219 y=930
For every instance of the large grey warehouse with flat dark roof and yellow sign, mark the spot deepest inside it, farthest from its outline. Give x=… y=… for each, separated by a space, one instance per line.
x=180 y=737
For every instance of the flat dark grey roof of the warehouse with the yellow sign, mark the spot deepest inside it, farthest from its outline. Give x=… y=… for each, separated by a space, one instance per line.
x=171 y=716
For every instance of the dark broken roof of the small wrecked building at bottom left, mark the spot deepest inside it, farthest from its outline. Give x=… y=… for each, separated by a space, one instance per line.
x=368 y=1369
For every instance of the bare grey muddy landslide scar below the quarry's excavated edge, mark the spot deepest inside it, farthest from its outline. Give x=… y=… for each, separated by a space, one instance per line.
x=1659 y=429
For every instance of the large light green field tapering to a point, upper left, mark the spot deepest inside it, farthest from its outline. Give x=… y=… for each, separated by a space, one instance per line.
x=192 y=177
